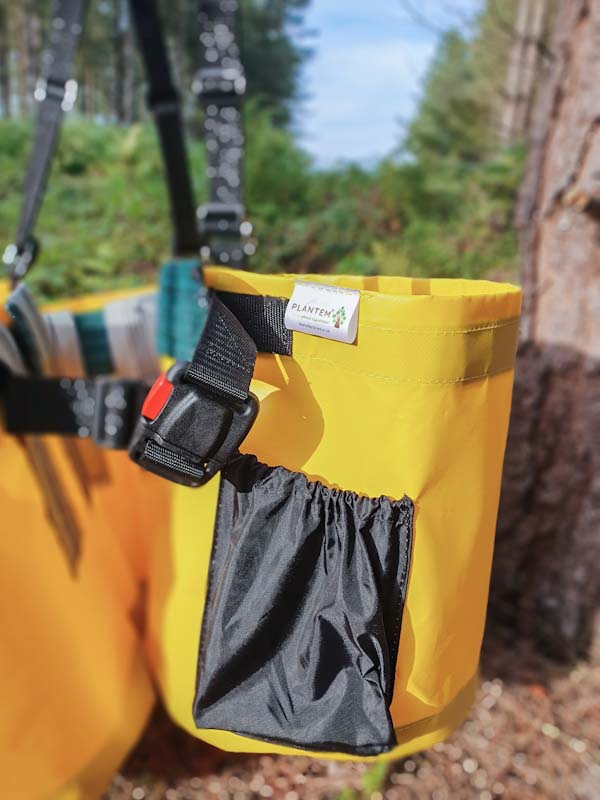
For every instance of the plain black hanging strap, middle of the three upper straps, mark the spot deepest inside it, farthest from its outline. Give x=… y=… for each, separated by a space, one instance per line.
x=165 y=104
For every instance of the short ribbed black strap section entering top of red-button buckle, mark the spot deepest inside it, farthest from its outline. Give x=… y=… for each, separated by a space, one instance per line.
x=224 y=359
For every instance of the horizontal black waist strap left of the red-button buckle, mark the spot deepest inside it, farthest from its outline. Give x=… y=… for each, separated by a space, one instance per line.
x=105 y=410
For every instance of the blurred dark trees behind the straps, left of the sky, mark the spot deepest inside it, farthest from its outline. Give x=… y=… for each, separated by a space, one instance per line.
x=109 y=73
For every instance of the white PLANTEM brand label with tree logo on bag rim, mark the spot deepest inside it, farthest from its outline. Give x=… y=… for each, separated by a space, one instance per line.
x=328 y=311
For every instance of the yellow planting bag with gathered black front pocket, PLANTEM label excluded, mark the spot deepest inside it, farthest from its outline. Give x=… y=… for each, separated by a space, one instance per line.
x=327 y=591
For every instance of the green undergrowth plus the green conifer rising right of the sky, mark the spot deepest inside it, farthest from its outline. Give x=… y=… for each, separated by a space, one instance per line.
x=440 y=206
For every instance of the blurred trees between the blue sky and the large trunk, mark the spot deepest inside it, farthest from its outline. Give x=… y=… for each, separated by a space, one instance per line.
x=481 y=85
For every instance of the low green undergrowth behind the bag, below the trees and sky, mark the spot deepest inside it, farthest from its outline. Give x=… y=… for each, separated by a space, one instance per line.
x=105 y=219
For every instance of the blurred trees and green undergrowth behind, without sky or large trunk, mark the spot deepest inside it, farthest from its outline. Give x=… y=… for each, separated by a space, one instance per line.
x=440 y=204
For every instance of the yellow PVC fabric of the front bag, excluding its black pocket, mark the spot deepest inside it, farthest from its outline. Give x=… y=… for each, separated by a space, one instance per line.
x=419 y=405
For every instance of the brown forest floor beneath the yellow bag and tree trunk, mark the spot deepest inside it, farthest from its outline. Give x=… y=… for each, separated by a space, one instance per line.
x=534 y=734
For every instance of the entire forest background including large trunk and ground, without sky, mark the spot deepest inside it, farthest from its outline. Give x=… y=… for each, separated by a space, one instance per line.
x=496 y=175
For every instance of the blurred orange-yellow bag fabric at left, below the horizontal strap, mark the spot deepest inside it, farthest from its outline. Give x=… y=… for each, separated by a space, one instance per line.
x=76 y=688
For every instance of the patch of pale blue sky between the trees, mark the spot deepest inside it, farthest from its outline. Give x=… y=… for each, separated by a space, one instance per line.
x=364 y=79
